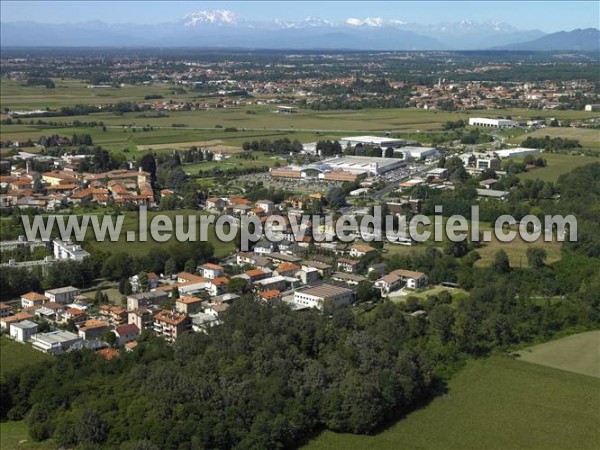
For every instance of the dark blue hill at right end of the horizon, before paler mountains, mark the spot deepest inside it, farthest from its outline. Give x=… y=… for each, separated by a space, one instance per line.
x=587 y=40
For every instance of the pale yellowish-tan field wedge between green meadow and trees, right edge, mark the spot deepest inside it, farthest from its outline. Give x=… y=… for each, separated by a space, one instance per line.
x=579 y=353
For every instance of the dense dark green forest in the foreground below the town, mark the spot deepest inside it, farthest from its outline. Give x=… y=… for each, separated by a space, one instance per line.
x=271 y=378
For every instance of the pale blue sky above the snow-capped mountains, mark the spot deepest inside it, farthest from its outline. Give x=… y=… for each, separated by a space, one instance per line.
x=548 y=16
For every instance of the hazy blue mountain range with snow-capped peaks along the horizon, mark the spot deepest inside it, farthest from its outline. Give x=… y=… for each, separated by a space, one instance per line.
x=221 y=28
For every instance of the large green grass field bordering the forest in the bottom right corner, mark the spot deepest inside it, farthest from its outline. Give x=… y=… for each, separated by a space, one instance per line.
x=496 y=403
